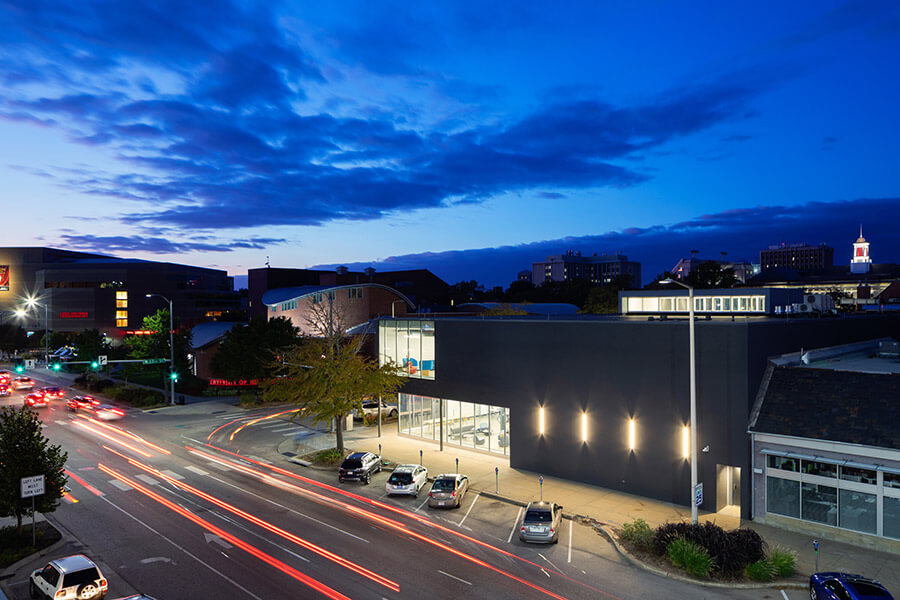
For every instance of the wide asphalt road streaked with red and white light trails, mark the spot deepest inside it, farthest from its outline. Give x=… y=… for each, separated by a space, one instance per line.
x=170 y=506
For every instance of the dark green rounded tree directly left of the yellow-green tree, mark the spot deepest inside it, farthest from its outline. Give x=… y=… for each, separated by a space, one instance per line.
x=249 y=352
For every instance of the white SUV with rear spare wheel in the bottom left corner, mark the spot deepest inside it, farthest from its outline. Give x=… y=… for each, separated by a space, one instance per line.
x=67 y=578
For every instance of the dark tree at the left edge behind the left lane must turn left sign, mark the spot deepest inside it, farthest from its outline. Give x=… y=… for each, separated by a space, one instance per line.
x=25 y=452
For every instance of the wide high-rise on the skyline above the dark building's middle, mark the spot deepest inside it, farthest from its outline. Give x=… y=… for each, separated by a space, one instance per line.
x=598 y=269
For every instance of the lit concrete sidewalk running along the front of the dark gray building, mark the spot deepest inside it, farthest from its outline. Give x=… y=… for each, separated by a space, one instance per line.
x=492 y=474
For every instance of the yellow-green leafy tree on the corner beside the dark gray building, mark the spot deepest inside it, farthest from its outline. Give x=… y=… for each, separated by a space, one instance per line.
x=327 y=381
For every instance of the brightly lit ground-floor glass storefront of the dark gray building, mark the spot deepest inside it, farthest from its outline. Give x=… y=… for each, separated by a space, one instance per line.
x=467 y=425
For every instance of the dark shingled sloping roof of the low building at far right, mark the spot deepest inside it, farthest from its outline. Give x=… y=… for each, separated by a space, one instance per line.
x=840 y=406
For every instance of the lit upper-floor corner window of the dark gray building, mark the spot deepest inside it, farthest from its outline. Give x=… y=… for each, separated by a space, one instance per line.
x=410 y=344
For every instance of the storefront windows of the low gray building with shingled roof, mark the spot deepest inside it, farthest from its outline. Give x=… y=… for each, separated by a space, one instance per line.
x=850 y=497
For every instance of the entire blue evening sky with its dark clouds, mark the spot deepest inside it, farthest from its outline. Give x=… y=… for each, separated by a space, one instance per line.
x=467 y=138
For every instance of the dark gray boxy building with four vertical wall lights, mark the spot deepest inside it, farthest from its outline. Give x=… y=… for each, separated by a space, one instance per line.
x=603 y=401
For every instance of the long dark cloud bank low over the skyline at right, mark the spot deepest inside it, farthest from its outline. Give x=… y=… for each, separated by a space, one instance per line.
x=742 y=233
